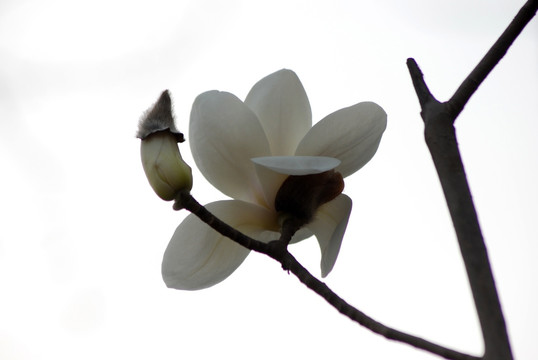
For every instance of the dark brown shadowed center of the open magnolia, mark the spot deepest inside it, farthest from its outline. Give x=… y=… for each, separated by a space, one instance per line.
x=301 y=195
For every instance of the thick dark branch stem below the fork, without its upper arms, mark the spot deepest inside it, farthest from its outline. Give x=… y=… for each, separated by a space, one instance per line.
x=440 y=137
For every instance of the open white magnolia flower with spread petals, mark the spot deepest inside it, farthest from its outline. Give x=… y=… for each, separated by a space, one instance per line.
x=247 y=150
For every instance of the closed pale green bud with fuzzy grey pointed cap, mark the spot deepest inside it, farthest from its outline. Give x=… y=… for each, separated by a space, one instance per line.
x=165 y=169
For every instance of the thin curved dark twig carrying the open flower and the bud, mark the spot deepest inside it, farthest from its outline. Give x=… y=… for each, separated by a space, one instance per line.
x=278 y=251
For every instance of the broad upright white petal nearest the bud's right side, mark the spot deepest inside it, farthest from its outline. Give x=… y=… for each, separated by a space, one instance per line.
x=224 y=136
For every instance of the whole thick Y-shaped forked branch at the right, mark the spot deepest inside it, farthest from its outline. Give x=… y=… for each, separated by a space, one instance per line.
x=440 y=136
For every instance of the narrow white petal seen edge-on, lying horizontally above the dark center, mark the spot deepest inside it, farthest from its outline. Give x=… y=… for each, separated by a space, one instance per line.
x=298 y=165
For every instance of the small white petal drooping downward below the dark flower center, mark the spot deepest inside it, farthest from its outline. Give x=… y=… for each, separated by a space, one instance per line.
x=329 y=227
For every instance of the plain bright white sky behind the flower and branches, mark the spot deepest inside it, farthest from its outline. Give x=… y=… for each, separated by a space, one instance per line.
x=82 y=234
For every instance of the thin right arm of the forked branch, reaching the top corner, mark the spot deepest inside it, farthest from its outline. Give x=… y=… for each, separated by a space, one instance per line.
x=492 y=58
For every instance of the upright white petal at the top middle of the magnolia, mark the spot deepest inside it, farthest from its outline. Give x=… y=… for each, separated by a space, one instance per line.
x=280 y=102
